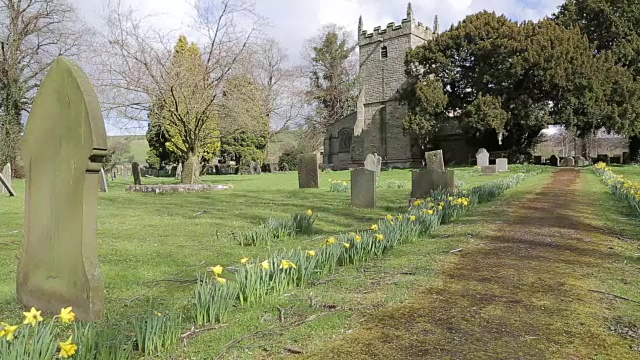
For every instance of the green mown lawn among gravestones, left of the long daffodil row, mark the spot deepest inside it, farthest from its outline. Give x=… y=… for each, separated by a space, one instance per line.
x=151 y=246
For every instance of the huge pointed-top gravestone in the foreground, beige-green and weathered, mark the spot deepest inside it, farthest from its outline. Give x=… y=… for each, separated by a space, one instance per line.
x=59 y=262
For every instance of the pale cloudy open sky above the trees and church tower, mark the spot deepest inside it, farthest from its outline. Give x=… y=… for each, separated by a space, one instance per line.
x=293 y=21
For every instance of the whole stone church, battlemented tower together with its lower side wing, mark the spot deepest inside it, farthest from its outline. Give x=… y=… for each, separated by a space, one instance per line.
x=376 y=125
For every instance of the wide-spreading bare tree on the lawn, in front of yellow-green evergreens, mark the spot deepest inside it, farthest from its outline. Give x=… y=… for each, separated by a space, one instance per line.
x=138 y=70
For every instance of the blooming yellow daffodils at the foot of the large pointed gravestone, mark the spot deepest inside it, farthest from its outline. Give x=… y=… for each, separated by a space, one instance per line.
x=36 y=339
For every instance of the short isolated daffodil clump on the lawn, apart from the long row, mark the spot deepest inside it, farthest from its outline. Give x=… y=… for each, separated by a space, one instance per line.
x=275 y=229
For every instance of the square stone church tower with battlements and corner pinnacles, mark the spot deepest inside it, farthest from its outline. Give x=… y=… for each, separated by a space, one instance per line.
x=378 y=127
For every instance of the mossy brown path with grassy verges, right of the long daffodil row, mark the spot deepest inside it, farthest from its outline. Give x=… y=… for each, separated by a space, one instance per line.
x=550 y=271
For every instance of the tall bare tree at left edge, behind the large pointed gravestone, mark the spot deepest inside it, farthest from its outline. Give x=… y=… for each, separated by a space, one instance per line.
x=32 y=34
